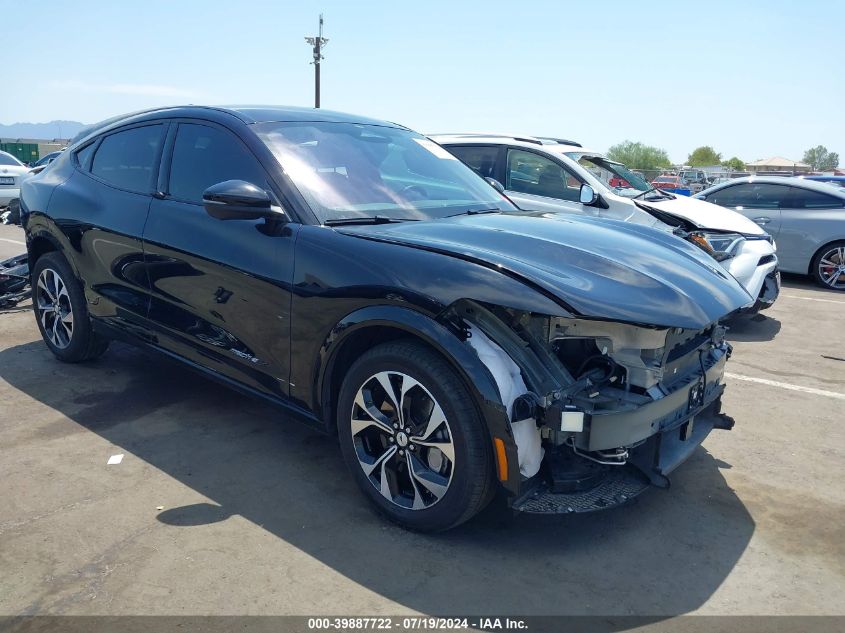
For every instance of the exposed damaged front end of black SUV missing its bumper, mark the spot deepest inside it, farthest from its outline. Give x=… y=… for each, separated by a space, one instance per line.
x=599 y=410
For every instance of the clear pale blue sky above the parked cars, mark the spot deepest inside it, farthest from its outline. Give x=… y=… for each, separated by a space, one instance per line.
x=753 y=79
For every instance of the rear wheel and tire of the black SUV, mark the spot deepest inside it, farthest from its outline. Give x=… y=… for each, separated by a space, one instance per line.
x=62 y=312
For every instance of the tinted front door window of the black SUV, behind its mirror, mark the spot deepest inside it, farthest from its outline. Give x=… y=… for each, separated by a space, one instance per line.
x=204 y=156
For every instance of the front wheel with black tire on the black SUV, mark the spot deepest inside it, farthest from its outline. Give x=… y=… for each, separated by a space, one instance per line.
x=448 y=486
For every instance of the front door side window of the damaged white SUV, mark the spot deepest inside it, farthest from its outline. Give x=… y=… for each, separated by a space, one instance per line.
x=537 y=175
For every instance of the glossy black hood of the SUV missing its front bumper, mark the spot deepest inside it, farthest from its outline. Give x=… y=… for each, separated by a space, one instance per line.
x=594 y=267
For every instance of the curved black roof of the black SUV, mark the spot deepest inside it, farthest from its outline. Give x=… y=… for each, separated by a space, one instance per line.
x=248 y=114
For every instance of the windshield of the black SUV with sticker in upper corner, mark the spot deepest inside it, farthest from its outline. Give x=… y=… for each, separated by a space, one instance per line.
x=350 y=170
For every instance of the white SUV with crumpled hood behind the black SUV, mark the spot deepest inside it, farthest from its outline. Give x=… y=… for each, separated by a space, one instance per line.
x=546 y=174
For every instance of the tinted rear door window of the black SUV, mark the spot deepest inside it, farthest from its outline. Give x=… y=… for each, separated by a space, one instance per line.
x=127 y=159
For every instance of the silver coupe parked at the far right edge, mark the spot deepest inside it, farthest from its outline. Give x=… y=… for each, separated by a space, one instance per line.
x=806 y=218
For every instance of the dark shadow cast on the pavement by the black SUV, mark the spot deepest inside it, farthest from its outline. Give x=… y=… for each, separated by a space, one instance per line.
x=663 y=555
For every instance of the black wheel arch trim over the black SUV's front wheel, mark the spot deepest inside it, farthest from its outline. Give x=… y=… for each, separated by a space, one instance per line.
x=360 y=330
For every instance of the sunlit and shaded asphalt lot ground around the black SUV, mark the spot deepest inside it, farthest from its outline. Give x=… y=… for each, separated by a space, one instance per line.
x=260 y=517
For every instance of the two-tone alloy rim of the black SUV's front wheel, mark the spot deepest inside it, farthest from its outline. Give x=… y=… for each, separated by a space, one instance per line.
x=402 y=440
